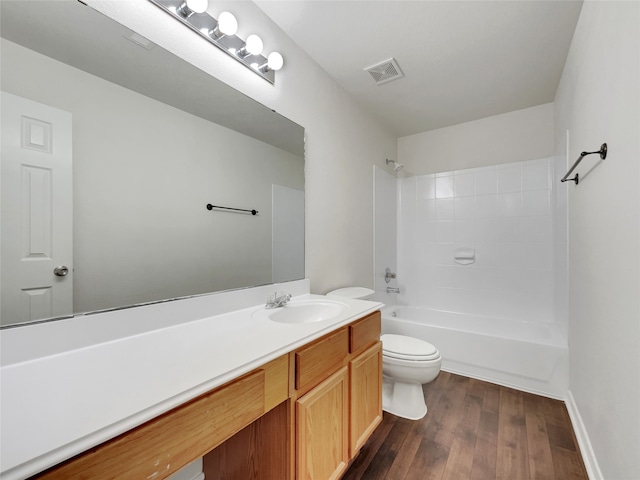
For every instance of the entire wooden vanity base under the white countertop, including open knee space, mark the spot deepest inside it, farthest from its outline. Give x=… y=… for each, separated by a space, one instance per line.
x=301 y=416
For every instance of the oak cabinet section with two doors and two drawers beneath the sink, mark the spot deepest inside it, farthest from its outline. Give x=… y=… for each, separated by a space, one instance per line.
x=337 y=411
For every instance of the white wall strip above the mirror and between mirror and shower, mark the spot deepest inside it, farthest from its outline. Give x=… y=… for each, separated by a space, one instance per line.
x=342 y=142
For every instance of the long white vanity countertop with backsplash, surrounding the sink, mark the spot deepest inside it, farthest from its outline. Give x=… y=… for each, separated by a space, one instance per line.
x=69 y=385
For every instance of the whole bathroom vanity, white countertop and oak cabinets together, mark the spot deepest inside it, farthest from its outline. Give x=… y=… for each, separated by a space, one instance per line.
x=283 y=400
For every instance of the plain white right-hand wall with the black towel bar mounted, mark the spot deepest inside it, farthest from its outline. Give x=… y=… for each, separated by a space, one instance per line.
x=598 y=101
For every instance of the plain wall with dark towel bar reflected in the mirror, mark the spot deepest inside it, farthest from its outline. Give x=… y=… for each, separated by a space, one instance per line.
x=130 y=171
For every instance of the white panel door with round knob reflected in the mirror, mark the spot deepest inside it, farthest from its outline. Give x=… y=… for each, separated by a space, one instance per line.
x=37 y=211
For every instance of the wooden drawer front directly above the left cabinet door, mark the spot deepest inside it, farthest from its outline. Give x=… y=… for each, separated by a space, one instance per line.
x=317 y=361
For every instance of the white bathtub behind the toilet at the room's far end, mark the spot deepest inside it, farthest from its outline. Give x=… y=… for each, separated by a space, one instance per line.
x=528 y=356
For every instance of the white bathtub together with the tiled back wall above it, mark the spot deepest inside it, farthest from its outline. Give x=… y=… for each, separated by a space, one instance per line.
x=476 y=266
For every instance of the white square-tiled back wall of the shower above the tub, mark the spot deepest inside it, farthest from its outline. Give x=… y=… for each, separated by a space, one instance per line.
x=504 y=212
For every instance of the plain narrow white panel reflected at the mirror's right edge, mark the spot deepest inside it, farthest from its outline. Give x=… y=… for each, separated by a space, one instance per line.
x=288 y=234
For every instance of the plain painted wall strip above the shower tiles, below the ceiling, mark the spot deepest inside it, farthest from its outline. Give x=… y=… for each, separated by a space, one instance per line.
x=511 y=137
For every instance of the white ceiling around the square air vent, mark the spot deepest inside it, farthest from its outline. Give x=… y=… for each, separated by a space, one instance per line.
x=462 y=60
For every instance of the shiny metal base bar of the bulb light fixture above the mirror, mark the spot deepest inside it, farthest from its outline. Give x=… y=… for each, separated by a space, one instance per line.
x=203 y=23
